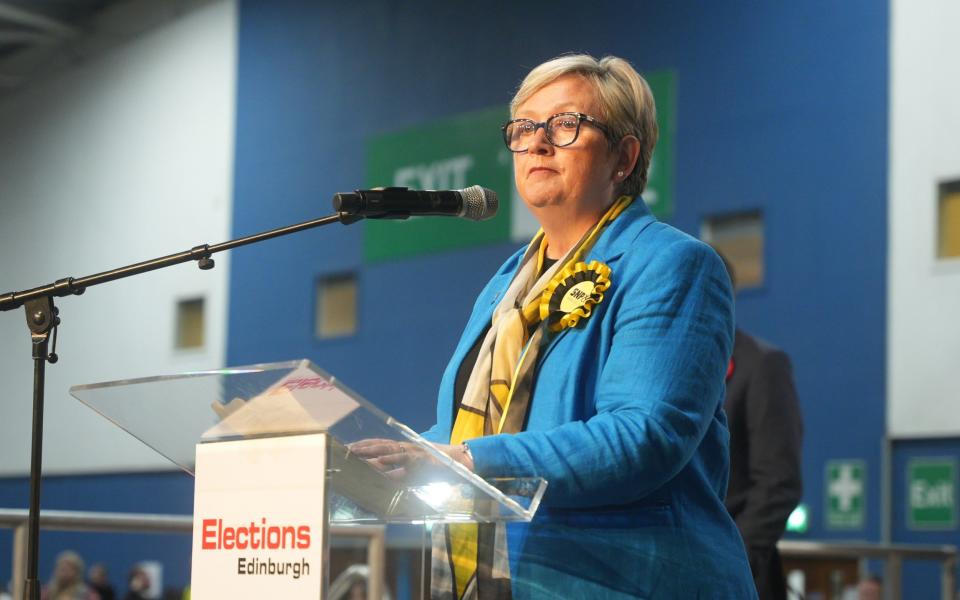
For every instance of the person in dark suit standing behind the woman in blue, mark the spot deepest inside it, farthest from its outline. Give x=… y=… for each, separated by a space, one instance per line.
x=765 y=438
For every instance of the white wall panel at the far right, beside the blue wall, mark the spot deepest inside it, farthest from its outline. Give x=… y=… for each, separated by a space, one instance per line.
x=923 y=344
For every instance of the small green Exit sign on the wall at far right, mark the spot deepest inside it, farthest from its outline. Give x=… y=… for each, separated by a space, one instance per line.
x=931 y=493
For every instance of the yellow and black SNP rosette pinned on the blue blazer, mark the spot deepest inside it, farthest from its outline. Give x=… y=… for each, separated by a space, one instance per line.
x=572 y=294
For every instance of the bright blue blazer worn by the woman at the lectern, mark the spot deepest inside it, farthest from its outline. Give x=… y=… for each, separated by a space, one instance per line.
x=626 y=423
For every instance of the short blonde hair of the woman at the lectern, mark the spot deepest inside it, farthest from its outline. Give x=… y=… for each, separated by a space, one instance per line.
x=625 y=99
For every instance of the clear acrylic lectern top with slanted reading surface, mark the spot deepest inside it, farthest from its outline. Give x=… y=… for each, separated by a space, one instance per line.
x=173 y=414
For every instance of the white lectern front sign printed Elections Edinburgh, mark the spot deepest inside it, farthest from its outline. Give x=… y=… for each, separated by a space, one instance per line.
x=259 y=519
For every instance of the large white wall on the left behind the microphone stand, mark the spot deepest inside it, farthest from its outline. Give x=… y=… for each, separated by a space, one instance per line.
x=120 y=158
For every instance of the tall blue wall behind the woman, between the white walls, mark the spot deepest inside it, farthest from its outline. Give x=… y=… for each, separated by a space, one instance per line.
x=781 y=107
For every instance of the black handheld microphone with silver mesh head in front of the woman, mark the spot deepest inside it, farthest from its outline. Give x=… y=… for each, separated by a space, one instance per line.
x=475 y=203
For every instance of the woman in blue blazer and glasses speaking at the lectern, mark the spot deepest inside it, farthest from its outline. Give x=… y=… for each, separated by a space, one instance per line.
x=594 y=358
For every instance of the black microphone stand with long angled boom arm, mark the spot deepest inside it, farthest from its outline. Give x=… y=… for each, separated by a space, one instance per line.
x=42 y=319
